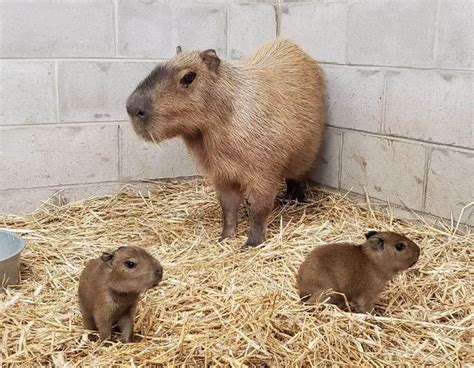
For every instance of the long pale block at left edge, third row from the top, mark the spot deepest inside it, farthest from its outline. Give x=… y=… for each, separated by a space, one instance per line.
x=58 y=155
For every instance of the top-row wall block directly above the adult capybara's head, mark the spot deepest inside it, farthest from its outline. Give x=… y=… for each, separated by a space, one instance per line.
x=155 y=28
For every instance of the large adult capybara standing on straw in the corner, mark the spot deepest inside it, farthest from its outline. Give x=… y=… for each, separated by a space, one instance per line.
x=248 y=124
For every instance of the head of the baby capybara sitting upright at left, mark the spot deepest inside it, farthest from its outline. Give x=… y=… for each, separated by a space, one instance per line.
x=132 y=270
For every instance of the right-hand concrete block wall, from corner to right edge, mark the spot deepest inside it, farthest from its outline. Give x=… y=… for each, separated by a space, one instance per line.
x=400 y=98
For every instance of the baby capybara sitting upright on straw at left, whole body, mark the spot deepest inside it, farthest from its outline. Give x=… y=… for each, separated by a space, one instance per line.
x=110 y=287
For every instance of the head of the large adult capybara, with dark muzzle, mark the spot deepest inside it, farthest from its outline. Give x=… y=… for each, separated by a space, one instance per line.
x=177 y=97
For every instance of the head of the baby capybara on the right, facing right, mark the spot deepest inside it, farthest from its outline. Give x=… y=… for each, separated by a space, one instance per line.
x=393 y=252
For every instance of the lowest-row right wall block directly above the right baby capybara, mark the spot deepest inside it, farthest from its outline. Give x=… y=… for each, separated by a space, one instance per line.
x=388 y=169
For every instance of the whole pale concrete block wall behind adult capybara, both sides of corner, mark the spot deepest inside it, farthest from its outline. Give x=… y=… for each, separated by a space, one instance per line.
x=399 y=76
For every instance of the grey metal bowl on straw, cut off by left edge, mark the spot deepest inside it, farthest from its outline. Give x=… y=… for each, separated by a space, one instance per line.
x=11 y=246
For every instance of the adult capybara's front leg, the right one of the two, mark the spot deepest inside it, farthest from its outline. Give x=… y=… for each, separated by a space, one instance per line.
x=261 y=206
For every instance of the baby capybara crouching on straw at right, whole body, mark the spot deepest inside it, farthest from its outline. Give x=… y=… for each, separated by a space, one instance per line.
x=359 y=272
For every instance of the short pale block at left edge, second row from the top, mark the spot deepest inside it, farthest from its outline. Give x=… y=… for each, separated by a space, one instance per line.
x=27 y=92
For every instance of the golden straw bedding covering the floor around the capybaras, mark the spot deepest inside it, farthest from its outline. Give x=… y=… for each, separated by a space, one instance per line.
x=221 y=306
